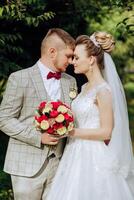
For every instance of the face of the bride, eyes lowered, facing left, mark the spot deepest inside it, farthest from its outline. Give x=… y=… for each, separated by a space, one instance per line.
x=80 y=61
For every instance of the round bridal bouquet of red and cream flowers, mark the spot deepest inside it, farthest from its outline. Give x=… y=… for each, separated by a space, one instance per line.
x=55 y=118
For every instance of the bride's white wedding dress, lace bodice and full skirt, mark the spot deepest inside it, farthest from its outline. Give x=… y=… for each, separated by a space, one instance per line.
x=88 y=170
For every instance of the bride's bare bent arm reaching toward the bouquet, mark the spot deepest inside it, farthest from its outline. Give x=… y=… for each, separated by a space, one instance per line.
x=104 y=102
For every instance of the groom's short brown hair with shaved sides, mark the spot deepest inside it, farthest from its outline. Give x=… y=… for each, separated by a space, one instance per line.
x=63 y=35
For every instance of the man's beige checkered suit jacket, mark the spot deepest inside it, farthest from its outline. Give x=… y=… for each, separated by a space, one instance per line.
x=25 y=90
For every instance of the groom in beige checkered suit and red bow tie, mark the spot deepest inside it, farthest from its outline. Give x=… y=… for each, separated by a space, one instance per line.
x=29 y=159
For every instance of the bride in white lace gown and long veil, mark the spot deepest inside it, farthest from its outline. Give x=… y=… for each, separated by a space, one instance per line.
x=98 y=161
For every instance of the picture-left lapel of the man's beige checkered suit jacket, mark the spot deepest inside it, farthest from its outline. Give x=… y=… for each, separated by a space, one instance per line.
x=38 y=83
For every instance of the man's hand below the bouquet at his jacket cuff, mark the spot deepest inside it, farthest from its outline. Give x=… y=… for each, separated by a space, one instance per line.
x=49 y=139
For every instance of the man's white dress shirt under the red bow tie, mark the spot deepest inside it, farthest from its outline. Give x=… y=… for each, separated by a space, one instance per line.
x=52 y=85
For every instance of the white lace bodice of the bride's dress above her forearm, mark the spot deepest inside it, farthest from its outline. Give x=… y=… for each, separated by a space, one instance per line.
x=85 y=106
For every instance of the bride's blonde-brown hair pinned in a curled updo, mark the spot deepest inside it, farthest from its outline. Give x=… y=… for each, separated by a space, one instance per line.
x=96 y=44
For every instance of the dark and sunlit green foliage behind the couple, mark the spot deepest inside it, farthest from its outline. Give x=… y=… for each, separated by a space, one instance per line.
x=24 y=23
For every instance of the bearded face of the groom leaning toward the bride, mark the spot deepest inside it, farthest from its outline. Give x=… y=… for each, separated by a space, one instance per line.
x=63 y=58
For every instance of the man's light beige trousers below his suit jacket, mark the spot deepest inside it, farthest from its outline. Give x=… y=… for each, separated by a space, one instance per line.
x=36 y=187
